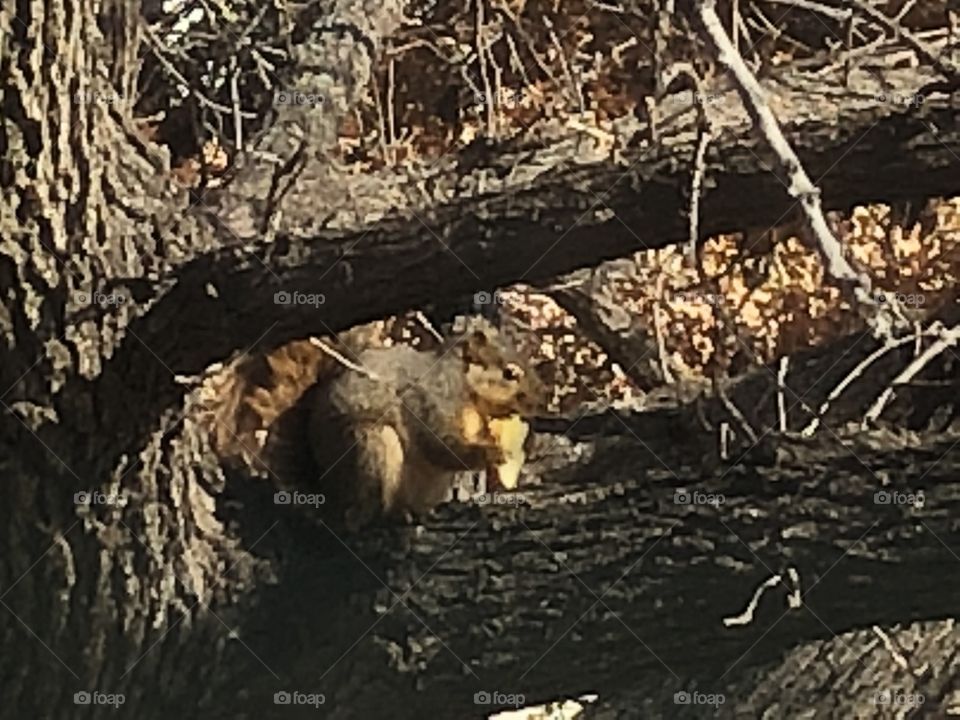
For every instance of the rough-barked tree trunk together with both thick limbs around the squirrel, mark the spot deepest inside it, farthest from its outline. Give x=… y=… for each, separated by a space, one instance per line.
x=196 y=596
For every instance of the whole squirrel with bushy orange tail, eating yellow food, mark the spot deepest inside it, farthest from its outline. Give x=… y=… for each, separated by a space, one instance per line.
x=384 y=434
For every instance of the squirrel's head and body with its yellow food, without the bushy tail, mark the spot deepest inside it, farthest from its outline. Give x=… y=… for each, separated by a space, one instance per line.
x=389 y=437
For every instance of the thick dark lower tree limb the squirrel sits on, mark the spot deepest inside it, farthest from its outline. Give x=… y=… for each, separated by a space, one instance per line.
x=589 y=587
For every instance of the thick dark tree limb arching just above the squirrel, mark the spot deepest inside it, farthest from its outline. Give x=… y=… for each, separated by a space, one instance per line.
x=548 y=212
